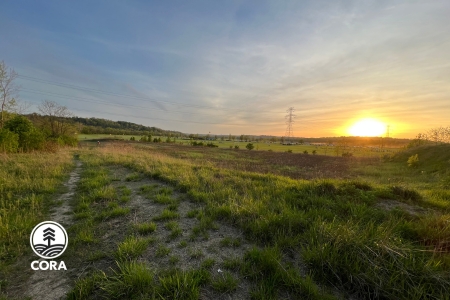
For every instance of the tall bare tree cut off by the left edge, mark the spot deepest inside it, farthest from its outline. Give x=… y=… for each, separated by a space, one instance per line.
x=7 y=90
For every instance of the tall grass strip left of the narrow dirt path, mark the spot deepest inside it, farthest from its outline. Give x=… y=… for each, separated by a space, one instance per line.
x=27 y=182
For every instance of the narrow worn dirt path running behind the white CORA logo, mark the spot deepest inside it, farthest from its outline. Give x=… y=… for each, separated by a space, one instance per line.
x=55 y=284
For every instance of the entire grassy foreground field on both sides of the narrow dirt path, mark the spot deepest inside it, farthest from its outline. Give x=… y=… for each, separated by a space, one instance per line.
x=169 y=221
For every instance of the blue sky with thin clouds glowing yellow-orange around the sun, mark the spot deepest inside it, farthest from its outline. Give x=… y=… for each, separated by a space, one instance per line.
x=235 y=67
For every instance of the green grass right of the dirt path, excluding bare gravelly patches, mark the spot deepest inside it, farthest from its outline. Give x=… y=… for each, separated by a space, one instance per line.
x=348 y=242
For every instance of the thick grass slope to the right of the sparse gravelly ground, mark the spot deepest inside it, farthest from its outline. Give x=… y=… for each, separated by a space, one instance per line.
x=344 y=239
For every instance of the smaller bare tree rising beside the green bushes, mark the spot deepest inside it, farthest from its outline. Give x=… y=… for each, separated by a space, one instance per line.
x=55 y=115
